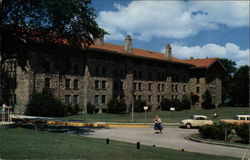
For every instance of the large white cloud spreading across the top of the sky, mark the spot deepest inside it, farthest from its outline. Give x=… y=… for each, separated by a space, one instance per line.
x=171 y=19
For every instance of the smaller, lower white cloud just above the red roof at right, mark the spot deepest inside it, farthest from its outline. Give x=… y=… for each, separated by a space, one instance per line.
x=229 y=51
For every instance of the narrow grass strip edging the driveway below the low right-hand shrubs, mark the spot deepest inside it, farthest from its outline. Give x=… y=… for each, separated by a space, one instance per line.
x=198 y=137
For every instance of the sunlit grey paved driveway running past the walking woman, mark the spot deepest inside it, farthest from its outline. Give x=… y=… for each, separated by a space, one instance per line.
x=172 y=137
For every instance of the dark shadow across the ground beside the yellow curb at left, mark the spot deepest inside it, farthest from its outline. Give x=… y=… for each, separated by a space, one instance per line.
x=61 y=129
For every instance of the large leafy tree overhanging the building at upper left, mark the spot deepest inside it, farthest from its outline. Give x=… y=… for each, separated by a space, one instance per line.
x=25 y=22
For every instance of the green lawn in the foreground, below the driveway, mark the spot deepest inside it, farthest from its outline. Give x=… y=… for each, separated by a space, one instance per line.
x=18 y=143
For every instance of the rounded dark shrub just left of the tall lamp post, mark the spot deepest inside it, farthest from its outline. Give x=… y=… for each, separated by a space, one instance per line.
x=115 y=106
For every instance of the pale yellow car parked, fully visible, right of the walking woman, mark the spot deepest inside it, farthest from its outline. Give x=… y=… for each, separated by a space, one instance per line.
x=196 y=121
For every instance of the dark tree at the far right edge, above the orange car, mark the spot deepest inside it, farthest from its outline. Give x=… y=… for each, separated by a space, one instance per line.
x=241 y=87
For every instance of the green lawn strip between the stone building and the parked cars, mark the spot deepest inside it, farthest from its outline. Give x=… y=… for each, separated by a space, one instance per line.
x=225 y=112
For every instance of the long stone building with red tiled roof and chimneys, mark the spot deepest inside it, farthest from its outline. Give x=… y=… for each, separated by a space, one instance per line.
x=106 y=71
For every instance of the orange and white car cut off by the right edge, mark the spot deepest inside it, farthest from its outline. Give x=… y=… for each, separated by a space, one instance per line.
x=237 y=119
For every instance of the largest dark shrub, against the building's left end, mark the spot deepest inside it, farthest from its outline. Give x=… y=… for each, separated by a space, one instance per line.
x=45 y=104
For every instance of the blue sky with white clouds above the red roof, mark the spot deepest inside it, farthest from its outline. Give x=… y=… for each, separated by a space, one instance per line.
x=193 y=28
